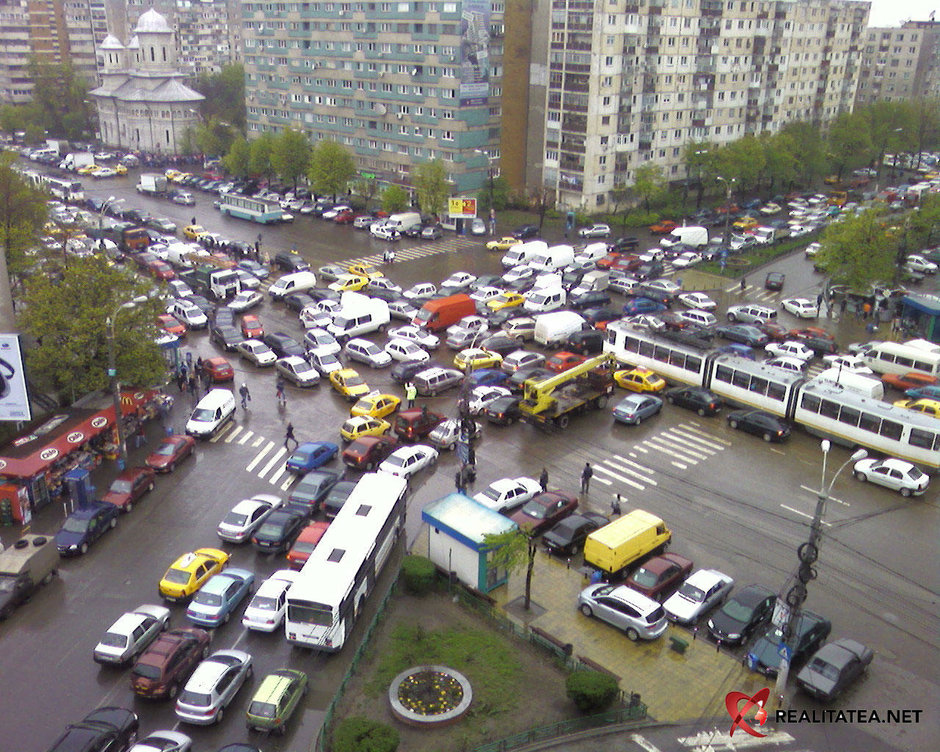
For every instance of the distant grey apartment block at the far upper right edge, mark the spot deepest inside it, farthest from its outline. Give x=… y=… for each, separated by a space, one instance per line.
x=900 y=63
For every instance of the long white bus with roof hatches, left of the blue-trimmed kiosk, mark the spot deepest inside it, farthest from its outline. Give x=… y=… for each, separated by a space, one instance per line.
x=331 y=589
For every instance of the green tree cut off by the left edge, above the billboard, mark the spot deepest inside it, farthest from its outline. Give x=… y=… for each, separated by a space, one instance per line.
x=23 y=212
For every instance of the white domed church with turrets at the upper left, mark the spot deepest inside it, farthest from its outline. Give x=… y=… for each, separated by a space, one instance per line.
x=143 y=104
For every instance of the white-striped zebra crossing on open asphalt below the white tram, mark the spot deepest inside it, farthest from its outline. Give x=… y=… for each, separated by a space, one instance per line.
x=682 y=446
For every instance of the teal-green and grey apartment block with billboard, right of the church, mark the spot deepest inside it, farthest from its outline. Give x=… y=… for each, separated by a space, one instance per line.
x=397 y=83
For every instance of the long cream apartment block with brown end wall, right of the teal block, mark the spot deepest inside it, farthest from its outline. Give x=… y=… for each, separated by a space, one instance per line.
x=616 y=84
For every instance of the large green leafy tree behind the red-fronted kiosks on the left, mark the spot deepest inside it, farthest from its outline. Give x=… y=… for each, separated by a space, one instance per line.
x=67 y=315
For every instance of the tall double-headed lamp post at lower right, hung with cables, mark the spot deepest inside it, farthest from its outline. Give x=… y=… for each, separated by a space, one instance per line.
x=808 y=552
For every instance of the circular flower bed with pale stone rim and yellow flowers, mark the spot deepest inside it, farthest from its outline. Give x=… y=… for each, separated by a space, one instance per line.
x=429 y=695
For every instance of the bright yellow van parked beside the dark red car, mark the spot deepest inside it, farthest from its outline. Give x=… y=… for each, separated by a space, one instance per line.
x=616 y=546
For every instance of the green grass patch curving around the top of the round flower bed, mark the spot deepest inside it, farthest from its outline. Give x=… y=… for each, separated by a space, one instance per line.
x=484 y=658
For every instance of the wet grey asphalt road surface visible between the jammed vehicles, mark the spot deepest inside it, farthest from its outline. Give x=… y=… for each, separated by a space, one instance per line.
x=733 y=502
